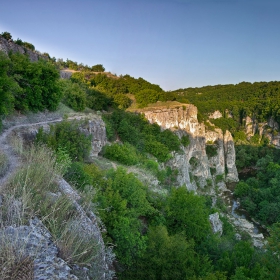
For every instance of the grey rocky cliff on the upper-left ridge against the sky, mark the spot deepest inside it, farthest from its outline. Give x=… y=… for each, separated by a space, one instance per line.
x=7 y=46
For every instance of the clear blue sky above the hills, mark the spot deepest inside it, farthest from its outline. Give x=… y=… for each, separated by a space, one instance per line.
x=173 y=43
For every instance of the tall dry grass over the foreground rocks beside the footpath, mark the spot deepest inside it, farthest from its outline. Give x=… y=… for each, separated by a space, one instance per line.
x=32 y=191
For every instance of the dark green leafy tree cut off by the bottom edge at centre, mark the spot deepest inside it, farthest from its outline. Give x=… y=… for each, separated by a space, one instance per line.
x=167 y=257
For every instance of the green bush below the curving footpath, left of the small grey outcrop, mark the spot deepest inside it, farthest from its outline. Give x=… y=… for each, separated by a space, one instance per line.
x=67 y=135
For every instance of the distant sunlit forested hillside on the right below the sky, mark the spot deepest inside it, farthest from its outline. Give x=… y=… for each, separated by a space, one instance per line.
x=259 y=100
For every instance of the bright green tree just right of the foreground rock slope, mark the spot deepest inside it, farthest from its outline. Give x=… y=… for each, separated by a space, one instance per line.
x=124 y=199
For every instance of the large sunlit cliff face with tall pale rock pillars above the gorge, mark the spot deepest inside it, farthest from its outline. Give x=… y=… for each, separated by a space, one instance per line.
x=196 y=168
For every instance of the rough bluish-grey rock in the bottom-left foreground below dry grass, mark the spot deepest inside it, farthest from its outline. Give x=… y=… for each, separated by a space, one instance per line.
x=35 y=242
